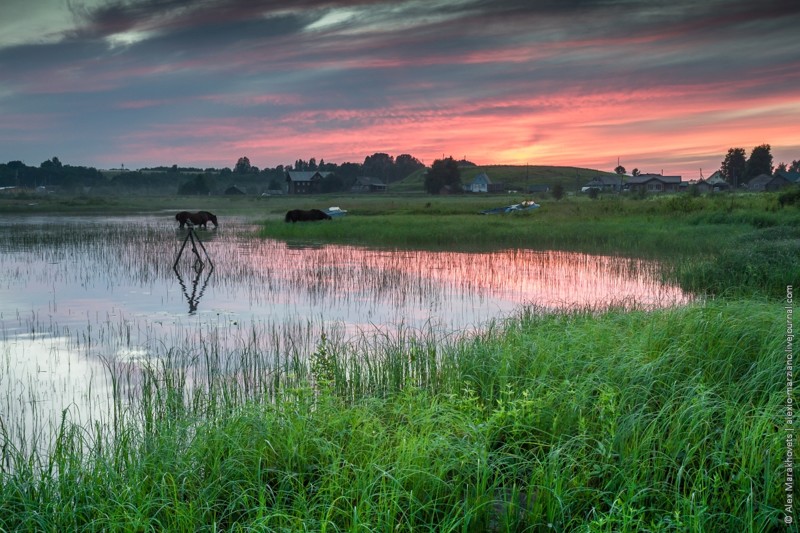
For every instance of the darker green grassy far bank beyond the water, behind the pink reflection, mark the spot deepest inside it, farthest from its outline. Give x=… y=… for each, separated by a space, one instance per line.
x=719 y=244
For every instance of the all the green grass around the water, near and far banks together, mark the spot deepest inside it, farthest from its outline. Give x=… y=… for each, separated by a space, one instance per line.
x=582 y=420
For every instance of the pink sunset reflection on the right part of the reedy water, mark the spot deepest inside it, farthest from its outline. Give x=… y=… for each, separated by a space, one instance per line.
x=500 y=281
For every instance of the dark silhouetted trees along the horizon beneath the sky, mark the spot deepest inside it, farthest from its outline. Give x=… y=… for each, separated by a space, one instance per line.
x=51 y=175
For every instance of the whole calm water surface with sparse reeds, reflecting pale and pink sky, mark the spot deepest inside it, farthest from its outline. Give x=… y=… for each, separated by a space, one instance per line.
x=81 y=295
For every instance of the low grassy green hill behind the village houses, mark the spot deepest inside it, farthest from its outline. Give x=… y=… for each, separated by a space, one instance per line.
x=514 y=177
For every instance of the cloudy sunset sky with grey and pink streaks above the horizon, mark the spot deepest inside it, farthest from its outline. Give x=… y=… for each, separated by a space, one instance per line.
x=664 y=86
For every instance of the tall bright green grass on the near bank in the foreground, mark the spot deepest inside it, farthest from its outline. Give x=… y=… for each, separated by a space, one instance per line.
x=619 y=422
